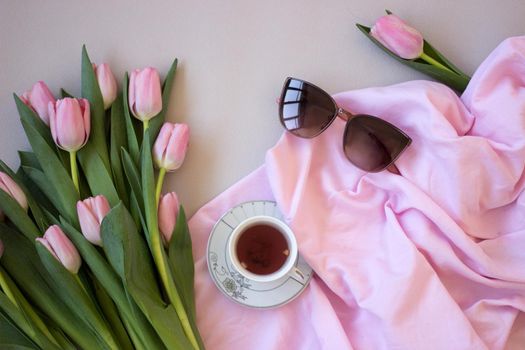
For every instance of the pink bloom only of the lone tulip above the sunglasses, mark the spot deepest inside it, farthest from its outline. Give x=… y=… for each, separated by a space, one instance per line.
x=398 y=37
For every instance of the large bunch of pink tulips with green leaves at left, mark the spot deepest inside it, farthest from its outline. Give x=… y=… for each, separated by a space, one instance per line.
x=92 y=255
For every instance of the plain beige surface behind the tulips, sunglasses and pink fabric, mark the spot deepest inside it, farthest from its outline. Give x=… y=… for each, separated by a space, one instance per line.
x=234 y=56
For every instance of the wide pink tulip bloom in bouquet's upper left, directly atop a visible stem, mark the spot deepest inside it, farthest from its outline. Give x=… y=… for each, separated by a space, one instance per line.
x=70 y=123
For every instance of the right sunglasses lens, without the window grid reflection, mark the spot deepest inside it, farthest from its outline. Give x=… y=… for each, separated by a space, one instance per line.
x=372 y=144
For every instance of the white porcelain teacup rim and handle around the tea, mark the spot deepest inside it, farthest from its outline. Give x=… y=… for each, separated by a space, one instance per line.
x=288 y=269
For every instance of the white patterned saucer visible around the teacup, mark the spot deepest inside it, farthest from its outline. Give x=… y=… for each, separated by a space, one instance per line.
x=235 y=286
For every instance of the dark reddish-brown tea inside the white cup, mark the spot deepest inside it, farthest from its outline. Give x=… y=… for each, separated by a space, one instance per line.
x=262 y=249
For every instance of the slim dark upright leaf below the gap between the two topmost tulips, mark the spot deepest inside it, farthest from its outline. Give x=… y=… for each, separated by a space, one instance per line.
x=118 y=141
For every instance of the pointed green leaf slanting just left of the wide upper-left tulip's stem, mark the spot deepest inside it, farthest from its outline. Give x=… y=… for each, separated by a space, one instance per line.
x=57 y=177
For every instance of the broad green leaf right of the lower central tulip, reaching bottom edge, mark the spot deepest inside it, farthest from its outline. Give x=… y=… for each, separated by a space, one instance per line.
x=129 y=256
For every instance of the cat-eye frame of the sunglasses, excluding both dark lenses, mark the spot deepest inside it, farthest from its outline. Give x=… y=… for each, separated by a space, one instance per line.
x=345 y=115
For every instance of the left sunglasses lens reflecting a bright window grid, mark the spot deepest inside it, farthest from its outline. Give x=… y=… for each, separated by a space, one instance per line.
x=305 y=110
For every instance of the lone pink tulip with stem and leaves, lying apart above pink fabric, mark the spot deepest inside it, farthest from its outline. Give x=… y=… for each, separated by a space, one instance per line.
x=407 y=46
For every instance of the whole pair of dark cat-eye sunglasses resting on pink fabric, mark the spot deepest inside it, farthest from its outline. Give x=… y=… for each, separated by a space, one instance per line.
x=370 y=143
